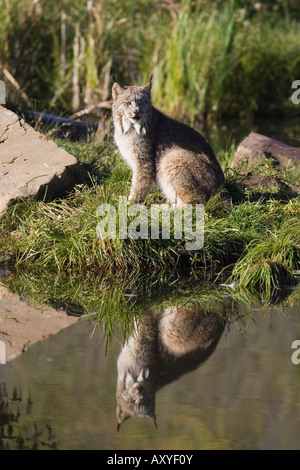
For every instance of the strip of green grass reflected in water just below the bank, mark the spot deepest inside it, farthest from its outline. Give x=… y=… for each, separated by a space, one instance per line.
x=115 y=305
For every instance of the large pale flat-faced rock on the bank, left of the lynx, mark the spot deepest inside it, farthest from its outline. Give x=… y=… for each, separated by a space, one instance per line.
x=31 y=165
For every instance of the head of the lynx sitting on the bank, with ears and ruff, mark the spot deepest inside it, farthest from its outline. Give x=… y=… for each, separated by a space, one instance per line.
x=132 y=107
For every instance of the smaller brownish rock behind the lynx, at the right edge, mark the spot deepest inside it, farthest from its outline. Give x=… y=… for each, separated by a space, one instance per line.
x=256 y=147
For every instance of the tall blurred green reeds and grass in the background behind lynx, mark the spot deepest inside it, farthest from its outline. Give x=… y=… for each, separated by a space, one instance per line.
x=209 y=58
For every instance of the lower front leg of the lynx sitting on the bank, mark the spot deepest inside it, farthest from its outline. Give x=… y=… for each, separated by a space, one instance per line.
x=143 y=180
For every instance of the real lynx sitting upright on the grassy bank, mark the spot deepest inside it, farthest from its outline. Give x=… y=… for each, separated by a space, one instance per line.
x=161 y=151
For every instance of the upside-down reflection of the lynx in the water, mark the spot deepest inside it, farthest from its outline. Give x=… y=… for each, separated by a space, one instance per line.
x=161 y=350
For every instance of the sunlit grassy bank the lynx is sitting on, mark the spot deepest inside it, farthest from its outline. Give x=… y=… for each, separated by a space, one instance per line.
x=251 y=236
